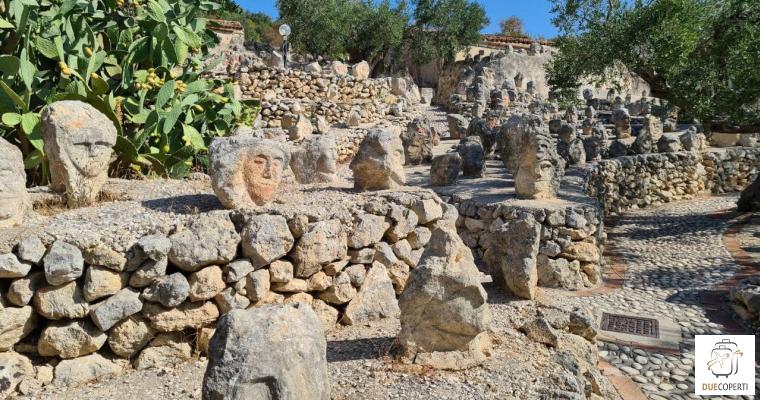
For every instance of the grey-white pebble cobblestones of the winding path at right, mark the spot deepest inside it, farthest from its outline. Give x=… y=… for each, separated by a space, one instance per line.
x=673 y=254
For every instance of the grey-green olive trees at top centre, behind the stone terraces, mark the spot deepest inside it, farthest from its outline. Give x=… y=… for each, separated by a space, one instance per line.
x=371 y=30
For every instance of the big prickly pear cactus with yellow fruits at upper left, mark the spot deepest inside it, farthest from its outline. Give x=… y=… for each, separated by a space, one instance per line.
x=138 y=62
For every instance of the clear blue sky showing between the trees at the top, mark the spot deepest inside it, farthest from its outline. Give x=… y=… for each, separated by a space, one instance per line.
x=534 y=13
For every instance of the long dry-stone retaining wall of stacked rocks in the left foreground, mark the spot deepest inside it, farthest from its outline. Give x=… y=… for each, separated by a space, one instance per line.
x=348 y=257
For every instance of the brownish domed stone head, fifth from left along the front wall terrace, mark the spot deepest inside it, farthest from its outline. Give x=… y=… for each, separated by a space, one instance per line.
x=379 y=163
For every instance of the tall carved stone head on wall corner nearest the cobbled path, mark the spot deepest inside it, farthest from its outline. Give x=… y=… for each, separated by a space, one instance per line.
x=539 y=169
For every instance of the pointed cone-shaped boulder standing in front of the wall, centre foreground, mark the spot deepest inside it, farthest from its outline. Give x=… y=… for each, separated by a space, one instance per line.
x=444 y=313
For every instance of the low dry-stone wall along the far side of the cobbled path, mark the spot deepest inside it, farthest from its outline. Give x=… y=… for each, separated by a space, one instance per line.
x=631 y=182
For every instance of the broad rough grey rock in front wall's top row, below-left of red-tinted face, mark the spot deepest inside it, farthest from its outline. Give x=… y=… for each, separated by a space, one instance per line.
x=208 y=240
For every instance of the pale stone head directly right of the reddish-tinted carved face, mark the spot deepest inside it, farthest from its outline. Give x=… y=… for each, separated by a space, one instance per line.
x=315 y=160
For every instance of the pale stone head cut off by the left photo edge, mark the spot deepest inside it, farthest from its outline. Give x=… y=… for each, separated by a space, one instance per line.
x=14 y=200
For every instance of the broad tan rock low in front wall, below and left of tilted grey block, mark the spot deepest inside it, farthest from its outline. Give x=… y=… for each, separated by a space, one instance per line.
x=70 y=339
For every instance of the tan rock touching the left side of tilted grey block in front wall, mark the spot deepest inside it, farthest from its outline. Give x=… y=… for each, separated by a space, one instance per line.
x=61 y=302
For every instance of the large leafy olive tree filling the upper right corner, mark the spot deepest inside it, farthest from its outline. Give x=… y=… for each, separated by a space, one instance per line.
x=702 y=55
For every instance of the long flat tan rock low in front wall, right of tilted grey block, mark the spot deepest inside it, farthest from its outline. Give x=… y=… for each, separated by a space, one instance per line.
x=186 y=315
